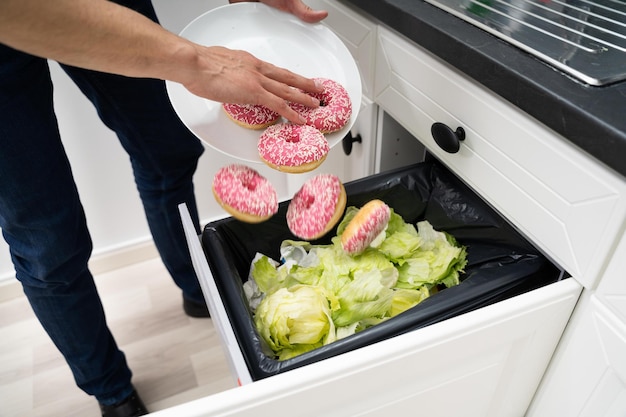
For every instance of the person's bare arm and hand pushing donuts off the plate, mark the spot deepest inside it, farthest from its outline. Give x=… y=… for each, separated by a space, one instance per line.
x=103 y=36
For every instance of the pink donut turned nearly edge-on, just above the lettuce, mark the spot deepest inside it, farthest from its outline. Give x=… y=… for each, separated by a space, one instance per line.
x=365 y=226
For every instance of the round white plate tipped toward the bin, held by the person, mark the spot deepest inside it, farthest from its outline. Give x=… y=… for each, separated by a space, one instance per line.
x=311 y=50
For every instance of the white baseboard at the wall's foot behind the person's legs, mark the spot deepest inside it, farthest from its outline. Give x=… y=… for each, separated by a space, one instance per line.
x=100 y=263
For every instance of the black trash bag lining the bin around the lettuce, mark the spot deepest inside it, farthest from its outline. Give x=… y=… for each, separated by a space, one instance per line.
x=501 y=263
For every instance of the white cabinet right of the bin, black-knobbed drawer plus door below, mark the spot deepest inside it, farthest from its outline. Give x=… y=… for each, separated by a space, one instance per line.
x=561 y=199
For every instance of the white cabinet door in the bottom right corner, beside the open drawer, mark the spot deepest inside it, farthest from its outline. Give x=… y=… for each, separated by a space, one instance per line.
x=588 y=375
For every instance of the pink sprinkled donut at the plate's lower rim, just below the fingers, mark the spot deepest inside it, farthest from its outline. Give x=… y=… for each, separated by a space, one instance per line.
x=293 y=148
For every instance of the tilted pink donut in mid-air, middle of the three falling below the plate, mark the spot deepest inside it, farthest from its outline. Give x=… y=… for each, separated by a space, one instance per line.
x=316 y=207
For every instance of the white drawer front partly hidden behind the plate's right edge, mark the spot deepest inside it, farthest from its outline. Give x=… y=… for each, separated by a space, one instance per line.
x=357 y=33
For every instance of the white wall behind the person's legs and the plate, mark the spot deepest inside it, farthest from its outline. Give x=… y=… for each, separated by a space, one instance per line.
x=101 y=167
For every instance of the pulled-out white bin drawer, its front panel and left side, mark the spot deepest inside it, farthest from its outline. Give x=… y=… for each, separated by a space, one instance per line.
x=490 y=359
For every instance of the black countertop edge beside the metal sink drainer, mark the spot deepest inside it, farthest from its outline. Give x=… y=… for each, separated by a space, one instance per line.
x=593 y=118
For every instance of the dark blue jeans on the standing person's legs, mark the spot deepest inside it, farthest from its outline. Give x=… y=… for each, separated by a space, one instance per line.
x=42 y=218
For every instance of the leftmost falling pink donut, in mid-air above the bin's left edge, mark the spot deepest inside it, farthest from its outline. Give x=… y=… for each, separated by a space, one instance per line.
x=245 y=193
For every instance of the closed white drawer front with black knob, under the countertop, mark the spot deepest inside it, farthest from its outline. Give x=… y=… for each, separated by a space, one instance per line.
x=566 y=203
